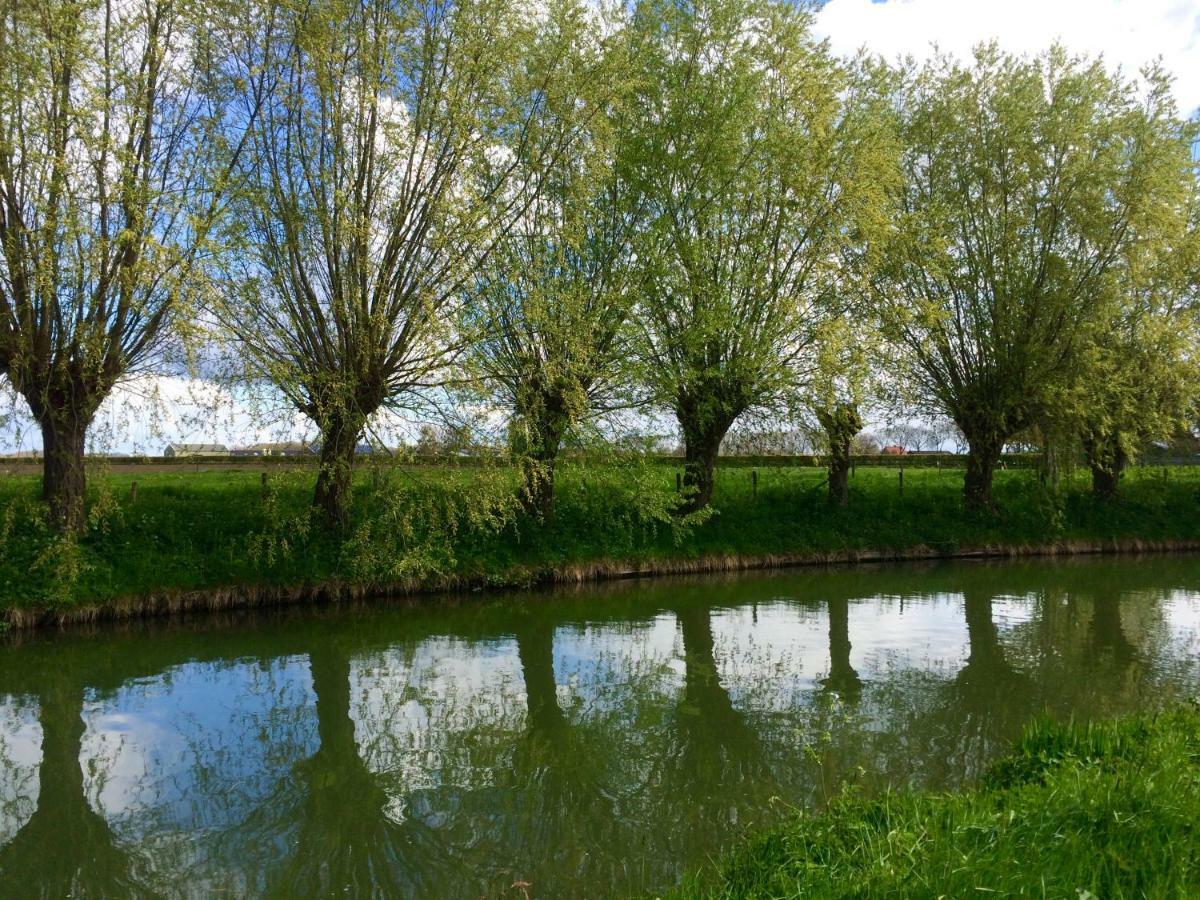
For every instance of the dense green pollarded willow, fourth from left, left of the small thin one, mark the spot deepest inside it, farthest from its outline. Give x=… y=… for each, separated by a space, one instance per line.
x=752 y=173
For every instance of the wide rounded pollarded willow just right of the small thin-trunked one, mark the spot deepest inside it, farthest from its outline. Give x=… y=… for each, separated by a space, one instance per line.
x=1028 y=181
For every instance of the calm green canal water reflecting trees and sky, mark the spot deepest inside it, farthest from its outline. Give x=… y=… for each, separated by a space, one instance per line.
x=595 y=742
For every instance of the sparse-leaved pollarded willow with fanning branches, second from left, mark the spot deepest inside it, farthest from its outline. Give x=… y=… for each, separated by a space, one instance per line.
x=379 y=184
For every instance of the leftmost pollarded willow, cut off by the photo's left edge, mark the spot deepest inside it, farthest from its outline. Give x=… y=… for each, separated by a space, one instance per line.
x=107 y=190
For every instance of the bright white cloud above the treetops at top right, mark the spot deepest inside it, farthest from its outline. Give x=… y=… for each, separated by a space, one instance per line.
x=1126 y=33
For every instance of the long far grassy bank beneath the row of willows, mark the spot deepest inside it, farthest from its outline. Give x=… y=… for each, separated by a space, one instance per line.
x=200 y=531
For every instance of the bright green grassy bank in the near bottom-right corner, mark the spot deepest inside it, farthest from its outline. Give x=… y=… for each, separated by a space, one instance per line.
x=1106 y=811
